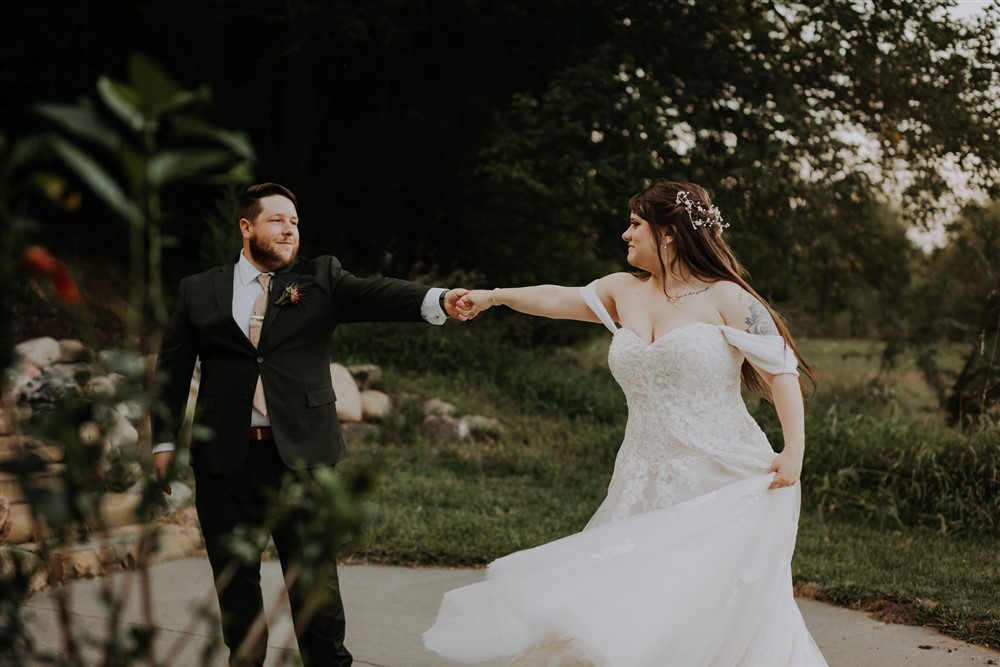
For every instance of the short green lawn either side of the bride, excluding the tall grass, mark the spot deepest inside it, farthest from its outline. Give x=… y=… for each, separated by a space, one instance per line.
x=467 y=503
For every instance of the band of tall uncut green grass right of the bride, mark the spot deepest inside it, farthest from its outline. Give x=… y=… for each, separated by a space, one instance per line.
x=896 y=472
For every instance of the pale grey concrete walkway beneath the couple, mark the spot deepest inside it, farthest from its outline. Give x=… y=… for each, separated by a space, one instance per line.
x=388 y=608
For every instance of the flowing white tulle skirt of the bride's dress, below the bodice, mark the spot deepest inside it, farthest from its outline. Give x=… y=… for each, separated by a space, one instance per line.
x=706 y=582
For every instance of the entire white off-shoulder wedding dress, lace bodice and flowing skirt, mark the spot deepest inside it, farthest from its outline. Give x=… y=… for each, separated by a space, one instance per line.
x=687 y=561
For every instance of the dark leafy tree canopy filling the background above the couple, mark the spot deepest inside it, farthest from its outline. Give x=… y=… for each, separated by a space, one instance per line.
x=501 y=140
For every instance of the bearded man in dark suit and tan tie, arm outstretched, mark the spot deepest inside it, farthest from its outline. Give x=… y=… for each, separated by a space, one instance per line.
x=261 y=328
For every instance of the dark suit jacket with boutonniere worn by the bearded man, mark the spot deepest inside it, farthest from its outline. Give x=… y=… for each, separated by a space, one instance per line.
x=293 y=360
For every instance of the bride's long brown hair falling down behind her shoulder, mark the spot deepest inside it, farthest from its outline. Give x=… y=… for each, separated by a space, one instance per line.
x=705 y=254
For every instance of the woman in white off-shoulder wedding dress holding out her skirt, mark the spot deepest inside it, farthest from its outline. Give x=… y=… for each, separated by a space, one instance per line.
x=687 y=560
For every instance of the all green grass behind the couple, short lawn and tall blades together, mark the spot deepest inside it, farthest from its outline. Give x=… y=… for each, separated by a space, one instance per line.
x=868 y=536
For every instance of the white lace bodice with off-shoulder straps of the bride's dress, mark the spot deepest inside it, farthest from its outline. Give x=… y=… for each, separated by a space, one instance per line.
x=688 y=427
